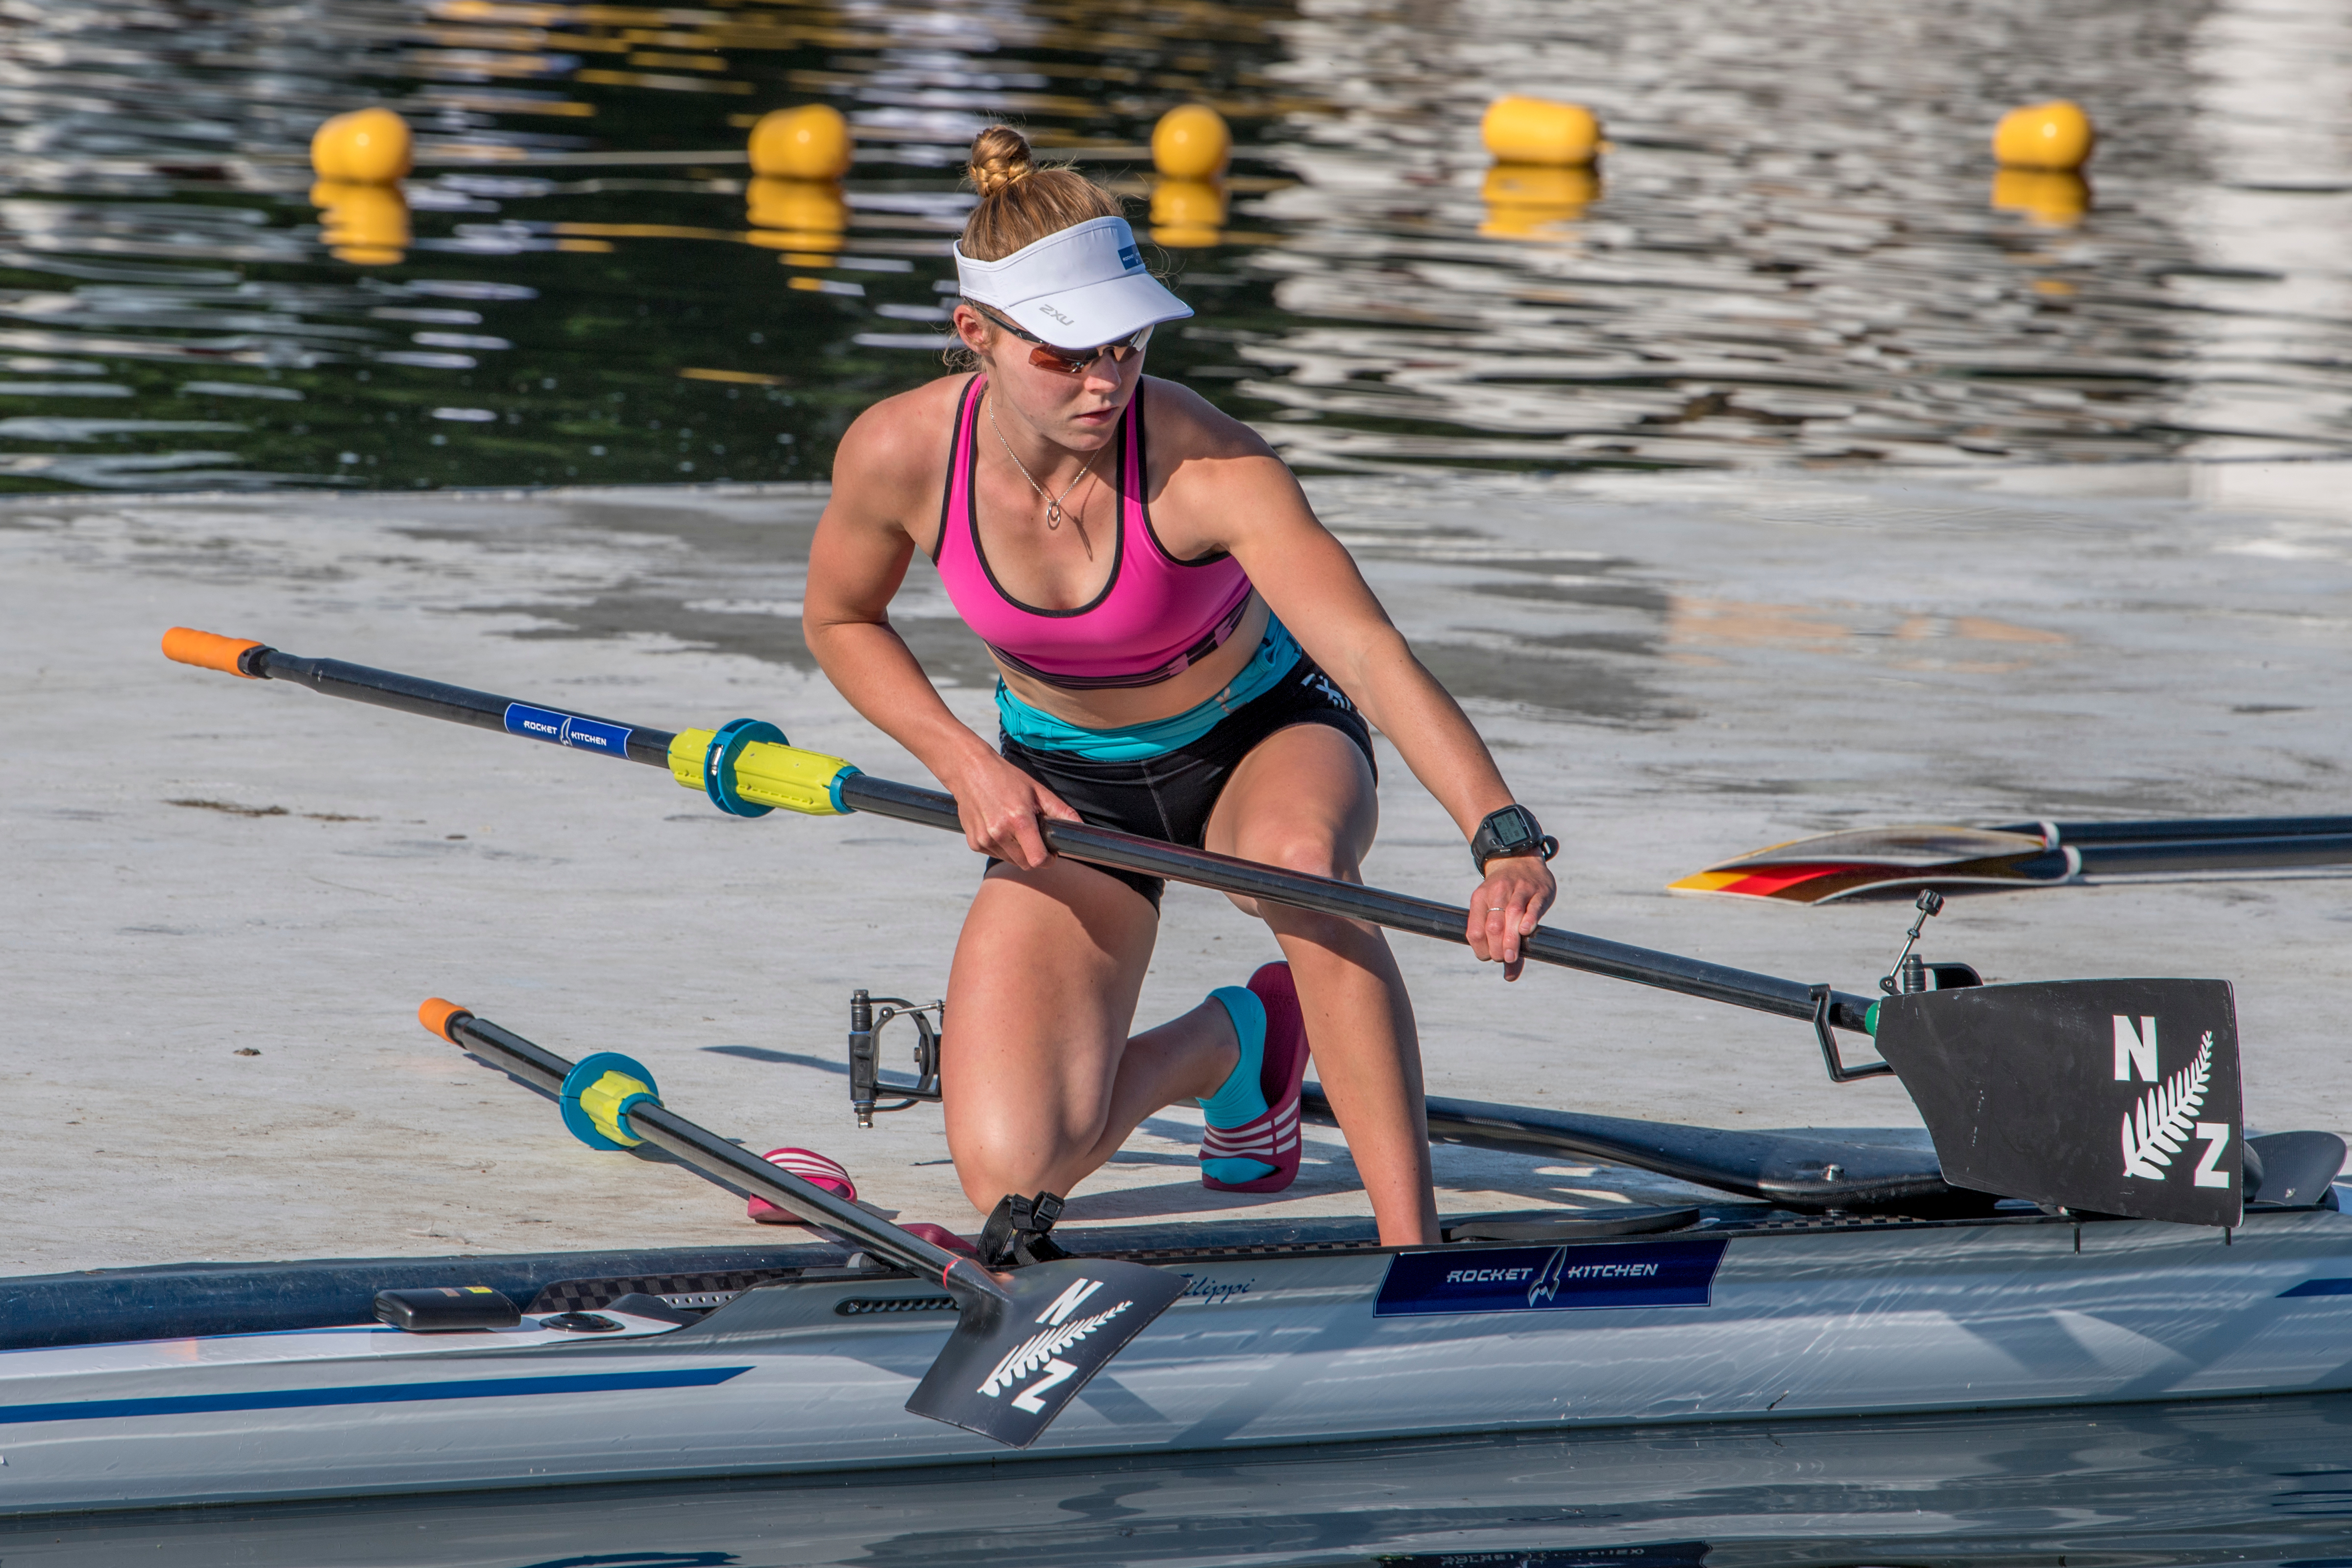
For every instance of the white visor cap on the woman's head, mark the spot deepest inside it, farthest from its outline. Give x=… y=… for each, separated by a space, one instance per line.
x=1076 y=288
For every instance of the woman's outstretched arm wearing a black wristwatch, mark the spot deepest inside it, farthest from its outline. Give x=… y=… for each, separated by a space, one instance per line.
x=1314 y=587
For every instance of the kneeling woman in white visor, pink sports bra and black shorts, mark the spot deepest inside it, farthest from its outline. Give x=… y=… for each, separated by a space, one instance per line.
x=1187 y=655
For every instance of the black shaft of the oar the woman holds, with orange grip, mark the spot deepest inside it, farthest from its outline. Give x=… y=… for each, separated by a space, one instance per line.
x=747 y=770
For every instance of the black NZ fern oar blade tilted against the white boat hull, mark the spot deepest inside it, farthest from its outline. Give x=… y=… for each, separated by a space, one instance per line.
x=1010 y=1369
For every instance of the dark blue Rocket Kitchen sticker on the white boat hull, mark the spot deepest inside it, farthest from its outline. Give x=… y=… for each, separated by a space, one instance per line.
x=1551 y=1278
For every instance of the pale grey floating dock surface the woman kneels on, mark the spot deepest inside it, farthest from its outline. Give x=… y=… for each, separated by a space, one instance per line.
x=211 y=1028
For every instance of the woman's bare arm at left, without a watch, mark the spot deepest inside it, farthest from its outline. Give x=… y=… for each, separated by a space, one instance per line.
x=857 y=565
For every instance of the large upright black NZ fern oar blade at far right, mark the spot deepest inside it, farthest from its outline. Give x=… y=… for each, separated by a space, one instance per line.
x=2104 y=1097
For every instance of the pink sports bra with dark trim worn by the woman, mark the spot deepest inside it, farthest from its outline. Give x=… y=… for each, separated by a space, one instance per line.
x=1156 y=617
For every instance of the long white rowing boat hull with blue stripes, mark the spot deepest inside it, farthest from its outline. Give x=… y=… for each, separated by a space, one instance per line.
x=1292 y=1346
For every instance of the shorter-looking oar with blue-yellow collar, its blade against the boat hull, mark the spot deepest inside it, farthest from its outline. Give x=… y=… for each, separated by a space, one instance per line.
x=1024 y=1343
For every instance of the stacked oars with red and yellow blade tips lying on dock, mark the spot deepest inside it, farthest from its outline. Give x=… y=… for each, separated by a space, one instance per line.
x=2019 y=855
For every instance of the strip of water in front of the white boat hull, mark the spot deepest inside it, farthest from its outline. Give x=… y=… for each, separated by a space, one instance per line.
x=2252 y=1482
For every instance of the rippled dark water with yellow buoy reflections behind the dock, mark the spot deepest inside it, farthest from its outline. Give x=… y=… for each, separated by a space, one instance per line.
x=1793 y=248
